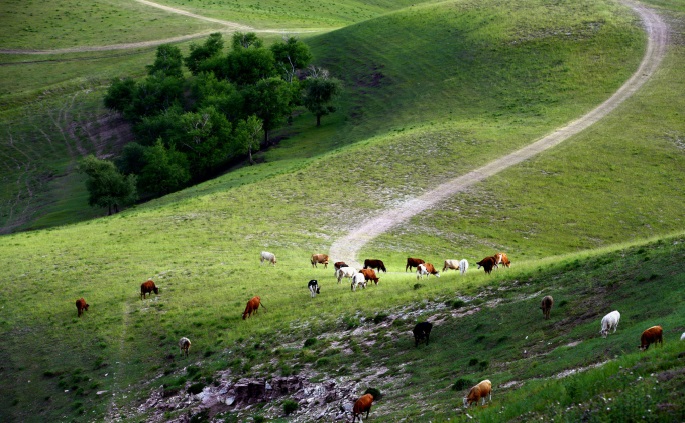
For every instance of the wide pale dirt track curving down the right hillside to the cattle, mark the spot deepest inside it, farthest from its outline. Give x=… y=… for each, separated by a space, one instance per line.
x=347 y=247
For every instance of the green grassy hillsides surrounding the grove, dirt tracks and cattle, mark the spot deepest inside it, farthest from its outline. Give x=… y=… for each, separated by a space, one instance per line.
x=433 y=91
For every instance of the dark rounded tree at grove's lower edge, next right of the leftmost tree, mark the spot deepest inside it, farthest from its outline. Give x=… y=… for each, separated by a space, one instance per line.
x=165 y=170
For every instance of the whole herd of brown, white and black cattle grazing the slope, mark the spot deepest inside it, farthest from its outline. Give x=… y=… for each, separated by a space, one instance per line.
x=422 y=330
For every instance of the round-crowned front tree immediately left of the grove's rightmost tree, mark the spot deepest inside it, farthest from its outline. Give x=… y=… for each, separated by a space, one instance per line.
x=270 y=101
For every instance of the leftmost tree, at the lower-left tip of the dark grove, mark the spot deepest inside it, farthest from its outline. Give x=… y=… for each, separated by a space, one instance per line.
x=107 y=187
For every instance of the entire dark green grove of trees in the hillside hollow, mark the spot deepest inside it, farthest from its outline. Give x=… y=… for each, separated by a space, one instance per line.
x=188 y=125
